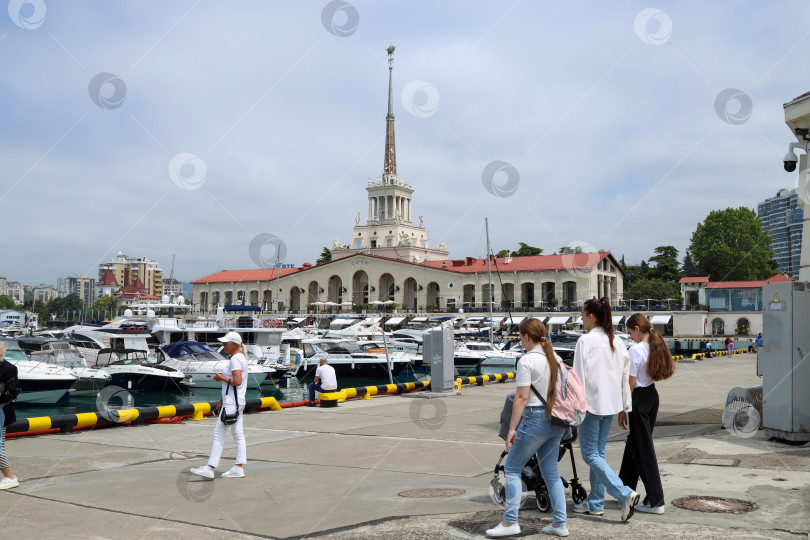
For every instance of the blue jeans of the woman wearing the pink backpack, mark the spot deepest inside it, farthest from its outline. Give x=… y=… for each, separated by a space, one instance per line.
x=535 y=434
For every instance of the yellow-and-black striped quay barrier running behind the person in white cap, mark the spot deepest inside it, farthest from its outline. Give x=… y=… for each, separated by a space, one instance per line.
x=66 y=423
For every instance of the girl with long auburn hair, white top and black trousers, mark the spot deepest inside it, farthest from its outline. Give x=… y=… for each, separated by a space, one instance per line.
x=650 y=361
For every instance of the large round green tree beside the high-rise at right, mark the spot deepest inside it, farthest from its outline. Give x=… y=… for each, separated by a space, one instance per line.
x=730 y=245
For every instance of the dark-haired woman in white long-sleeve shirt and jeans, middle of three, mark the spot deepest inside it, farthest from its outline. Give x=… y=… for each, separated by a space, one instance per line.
x=602 y=362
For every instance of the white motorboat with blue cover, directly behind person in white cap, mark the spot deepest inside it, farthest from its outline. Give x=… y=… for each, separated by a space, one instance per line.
x=201 y=363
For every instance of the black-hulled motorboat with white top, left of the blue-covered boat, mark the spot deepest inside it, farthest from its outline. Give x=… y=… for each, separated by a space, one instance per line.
x=131 y=369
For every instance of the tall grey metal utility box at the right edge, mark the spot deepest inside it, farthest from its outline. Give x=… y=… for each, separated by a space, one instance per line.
x=784 y=360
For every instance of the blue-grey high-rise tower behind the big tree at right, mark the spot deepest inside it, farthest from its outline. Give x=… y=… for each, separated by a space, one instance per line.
x=781 y=216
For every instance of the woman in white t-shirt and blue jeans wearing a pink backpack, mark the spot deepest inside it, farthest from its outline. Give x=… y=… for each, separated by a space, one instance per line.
x=531 y=431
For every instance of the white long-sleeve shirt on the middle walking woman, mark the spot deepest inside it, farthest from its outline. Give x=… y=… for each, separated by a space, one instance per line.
x=604 y=373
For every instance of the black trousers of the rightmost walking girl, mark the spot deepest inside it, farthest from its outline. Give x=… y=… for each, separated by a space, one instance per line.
x=639 y=459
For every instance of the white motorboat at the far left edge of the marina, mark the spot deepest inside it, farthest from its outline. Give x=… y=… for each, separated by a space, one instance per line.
x=41 y=383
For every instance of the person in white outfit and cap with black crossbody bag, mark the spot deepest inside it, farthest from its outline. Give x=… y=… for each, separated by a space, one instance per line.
x=234 y=383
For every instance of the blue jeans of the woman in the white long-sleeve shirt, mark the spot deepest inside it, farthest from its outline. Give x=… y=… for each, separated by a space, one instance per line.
x=593 y=434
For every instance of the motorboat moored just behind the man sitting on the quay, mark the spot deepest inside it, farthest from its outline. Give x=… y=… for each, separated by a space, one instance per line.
x=351 y=360
